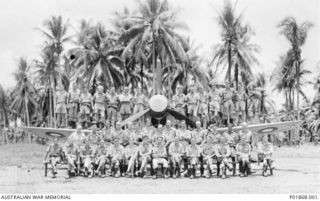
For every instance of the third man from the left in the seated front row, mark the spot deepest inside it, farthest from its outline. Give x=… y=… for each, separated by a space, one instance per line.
x=87 y=156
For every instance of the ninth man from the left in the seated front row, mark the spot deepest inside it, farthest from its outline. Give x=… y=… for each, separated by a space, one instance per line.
x=176 y=152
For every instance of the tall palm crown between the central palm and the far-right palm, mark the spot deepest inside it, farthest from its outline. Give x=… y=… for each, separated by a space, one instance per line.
x=236 y=51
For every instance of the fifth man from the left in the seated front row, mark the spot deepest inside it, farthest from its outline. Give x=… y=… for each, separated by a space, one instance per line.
x=117 y=156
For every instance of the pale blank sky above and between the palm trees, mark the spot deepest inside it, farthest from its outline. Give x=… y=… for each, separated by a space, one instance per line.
x=18 y=37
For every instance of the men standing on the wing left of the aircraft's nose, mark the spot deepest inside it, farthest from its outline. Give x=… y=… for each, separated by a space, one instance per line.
x=84 y=107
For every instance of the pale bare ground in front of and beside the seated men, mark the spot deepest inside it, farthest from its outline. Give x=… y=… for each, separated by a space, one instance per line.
x=21 y=171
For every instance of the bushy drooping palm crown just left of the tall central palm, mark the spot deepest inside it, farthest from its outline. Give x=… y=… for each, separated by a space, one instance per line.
x=97 y=60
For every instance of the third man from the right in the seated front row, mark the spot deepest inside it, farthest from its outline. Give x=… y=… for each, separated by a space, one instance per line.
x=222 y=152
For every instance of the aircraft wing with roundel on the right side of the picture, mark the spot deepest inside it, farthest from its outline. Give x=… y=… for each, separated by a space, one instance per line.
x=268 y=128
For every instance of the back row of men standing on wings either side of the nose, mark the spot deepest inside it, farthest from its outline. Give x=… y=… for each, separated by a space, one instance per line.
x=75 y=106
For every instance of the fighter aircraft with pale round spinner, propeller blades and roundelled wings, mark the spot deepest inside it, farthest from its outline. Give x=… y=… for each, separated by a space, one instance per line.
x=159 y=109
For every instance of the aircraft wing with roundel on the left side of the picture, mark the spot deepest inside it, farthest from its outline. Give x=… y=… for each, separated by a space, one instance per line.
x=49 y=133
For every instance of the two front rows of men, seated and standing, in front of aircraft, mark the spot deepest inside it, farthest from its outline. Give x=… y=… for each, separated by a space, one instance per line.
x=124 y=152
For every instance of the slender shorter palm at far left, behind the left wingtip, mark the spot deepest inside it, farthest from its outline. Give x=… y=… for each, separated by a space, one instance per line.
x=24 y=92
